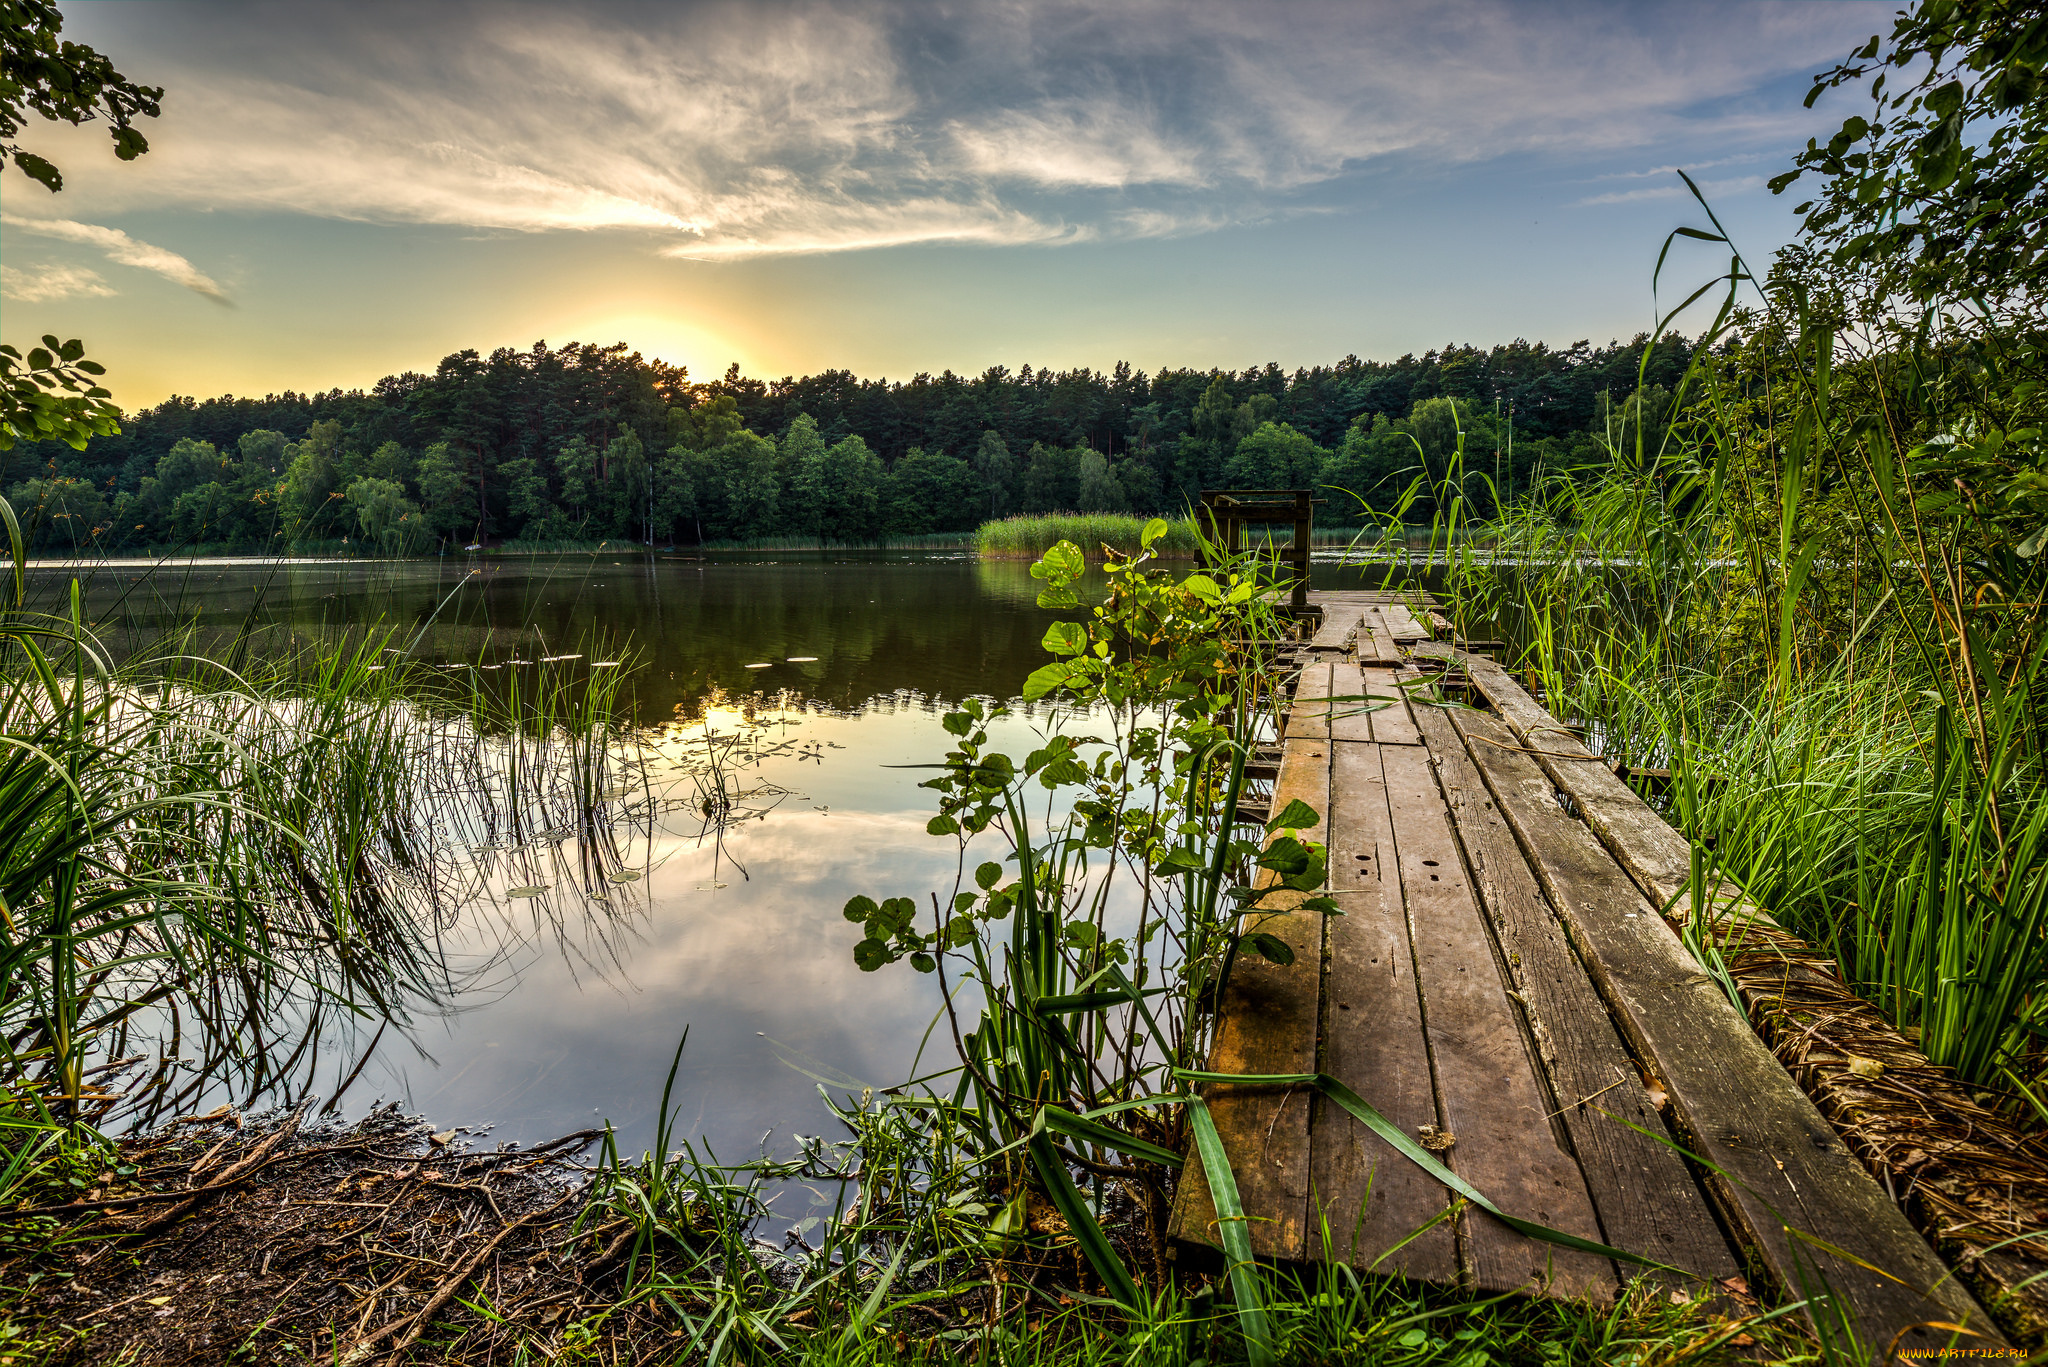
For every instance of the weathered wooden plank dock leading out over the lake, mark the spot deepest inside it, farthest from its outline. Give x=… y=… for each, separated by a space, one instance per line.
x=1502 y=987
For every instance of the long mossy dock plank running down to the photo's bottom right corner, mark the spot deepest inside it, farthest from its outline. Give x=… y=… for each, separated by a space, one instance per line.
x=1738 y=1108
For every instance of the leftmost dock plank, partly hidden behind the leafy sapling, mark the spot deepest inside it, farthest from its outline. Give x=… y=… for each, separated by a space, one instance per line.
x=1267 y=1022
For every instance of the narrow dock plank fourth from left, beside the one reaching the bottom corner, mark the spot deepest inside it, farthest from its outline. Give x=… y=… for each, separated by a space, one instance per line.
x=1641 y=1190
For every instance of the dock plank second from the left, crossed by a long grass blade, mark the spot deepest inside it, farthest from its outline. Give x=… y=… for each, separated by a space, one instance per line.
x=1373 y=1042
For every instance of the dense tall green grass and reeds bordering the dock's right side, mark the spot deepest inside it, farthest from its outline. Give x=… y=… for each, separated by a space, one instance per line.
x=1838 y=659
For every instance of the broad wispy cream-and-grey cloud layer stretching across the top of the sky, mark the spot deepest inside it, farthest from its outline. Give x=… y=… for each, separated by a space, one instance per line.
x=736 y=130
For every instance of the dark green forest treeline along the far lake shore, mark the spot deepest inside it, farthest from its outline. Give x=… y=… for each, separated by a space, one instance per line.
x=595 y=444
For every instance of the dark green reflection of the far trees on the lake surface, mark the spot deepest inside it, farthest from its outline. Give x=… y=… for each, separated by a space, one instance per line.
x=941 y=626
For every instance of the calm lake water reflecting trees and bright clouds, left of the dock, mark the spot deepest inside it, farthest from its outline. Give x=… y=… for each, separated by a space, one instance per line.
x=574 y=1016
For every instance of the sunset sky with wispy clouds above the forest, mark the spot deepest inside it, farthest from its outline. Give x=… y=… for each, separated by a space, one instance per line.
x=341 y=192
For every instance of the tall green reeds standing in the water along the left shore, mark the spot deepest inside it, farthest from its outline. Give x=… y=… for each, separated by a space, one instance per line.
x=208 y=864
